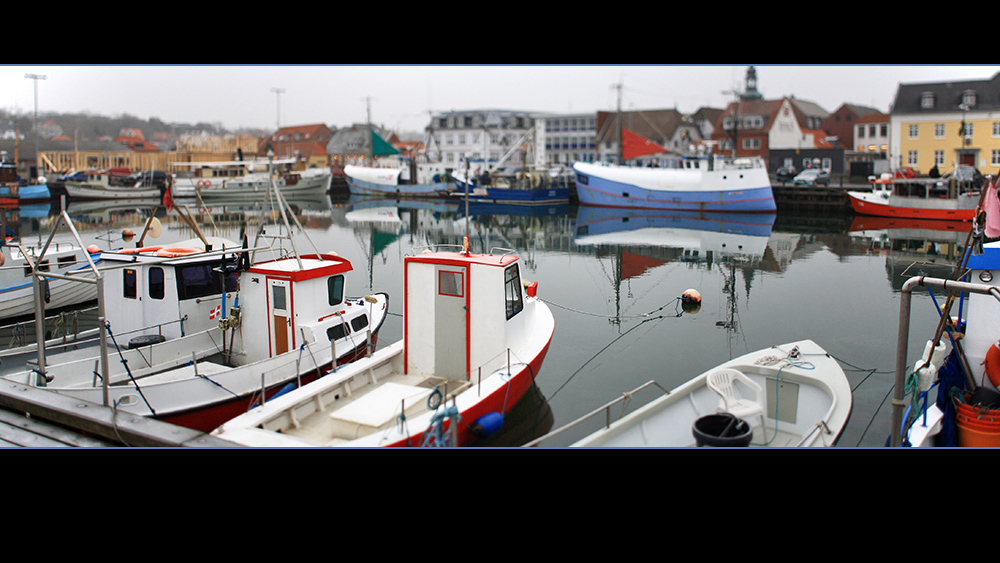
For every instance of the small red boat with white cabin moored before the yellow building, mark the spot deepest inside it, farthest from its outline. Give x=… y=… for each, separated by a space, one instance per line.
x=915 y=198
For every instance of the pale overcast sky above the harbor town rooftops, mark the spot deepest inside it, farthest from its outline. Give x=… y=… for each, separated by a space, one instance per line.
x=402 y=97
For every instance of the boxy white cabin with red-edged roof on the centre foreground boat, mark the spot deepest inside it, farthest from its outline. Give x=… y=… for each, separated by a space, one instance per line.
x=474 y=314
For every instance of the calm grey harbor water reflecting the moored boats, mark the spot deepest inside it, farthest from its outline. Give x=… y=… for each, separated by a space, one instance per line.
x=613 y=280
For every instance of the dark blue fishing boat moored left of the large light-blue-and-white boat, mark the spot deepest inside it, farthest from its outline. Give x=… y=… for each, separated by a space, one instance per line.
x=525 y=187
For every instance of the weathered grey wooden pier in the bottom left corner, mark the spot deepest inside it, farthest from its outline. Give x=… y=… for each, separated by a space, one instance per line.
x=36 y=417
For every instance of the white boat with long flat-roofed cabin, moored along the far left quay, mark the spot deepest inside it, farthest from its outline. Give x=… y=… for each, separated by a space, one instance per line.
x=240 y=178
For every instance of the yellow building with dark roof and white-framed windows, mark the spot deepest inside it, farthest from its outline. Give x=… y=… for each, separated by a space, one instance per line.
x=946 y=124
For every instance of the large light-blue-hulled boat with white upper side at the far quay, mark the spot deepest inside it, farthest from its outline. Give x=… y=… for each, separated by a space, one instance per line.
x=699 y=184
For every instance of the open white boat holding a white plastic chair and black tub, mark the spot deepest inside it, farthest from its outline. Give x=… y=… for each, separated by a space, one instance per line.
x=792 y=395
